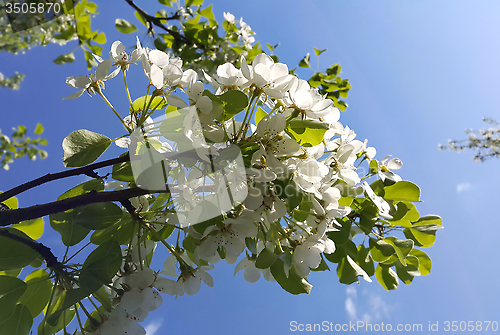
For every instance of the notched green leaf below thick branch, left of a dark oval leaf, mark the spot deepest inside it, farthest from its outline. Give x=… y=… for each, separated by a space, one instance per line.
x=71 y=233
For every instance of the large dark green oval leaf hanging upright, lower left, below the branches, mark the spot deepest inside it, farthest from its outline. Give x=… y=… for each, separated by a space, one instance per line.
x=101 y=266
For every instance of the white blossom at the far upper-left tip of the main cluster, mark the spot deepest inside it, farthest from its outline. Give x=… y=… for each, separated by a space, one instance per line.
x=93 y=82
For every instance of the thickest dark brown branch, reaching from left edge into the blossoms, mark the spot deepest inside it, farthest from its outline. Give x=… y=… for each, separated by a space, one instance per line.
x=13 y=216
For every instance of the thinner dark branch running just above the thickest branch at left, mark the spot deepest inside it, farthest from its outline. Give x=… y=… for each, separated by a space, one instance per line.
x=86 y=170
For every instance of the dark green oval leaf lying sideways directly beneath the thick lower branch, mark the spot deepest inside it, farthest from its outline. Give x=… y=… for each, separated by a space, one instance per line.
x=97 y=216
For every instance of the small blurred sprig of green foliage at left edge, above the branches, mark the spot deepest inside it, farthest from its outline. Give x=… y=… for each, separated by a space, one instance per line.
x=19 y=145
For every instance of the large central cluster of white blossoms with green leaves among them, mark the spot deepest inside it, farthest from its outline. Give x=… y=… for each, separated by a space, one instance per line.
x=258 y=166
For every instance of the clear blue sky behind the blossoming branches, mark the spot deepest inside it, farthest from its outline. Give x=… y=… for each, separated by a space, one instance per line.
x=421 y=72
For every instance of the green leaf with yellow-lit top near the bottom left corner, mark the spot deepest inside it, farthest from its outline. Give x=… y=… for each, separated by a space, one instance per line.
x=37 y=295
